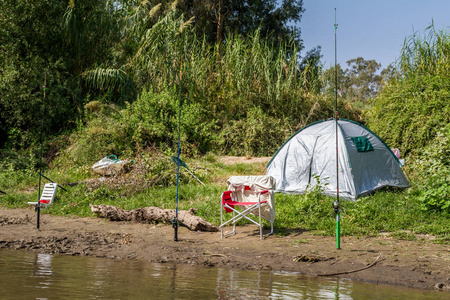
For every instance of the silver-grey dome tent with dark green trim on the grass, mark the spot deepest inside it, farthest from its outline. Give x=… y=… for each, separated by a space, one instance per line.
x=366 y=163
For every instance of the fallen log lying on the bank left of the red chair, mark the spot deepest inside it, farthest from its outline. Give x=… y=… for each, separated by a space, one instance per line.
x=150 y=215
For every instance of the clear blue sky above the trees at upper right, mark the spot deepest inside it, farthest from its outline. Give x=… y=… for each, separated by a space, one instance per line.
x=371 y=29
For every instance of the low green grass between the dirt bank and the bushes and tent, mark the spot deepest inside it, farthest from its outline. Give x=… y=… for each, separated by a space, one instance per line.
x=388 y=211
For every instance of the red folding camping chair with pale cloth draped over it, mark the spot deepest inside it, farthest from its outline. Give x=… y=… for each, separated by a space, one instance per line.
x=248 y=195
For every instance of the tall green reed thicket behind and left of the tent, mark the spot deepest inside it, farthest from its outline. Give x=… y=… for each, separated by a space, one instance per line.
x=248 y=95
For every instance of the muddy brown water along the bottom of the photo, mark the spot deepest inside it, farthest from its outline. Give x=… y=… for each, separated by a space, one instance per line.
x=25 y=275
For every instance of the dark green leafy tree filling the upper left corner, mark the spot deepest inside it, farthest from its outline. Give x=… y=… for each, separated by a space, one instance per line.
x=56 y=41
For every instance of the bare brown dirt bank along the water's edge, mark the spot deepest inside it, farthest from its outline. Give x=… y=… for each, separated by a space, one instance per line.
x=375 y=259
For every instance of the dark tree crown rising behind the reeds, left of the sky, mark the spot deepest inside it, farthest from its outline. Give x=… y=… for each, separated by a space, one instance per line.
x=216 y=18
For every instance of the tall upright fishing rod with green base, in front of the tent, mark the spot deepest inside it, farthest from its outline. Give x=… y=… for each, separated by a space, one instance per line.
x=336 y=205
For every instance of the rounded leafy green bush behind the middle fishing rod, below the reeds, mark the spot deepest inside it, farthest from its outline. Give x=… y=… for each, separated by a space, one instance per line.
x=152 y=120
